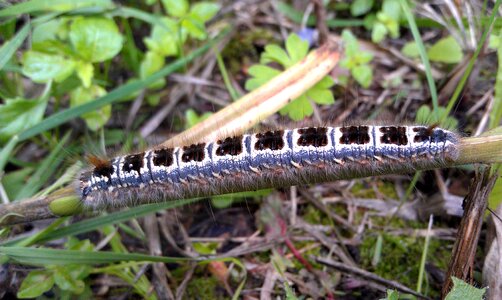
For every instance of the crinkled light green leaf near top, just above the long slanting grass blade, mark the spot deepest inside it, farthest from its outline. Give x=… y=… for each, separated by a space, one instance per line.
x=165 y=39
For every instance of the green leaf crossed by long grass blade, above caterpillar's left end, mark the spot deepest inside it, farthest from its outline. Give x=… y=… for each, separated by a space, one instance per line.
x=94 y=119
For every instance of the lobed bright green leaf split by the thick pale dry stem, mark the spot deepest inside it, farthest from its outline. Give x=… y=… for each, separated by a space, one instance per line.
x=296 y=50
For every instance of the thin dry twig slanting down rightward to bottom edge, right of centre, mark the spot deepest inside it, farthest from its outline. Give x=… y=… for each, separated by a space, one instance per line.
x=367 y=276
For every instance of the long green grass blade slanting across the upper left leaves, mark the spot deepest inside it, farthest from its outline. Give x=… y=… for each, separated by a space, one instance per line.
x=116 y=94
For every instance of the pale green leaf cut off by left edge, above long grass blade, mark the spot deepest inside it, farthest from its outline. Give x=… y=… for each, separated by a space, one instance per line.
x=19 y=114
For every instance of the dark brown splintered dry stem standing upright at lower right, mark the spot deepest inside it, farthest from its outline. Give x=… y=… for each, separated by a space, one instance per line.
x=464 y=250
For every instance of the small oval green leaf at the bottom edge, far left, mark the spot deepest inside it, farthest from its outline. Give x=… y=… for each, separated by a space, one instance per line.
x=35 y=284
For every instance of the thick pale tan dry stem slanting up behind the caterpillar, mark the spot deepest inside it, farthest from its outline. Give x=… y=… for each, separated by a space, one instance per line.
x=256 y=106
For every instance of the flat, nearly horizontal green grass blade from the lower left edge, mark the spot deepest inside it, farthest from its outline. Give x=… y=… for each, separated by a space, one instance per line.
x=43 y=256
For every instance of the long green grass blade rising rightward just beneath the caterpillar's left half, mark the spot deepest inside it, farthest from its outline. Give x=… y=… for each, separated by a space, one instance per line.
x=103 y=220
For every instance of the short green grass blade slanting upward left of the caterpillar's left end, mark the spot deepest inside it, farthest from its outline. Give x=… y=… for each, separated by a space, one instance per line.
x=44 y=170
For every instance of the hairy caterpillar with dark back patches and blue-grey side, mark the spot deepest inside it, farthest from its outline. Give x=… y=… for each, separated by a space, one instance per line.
x=274 y=158
